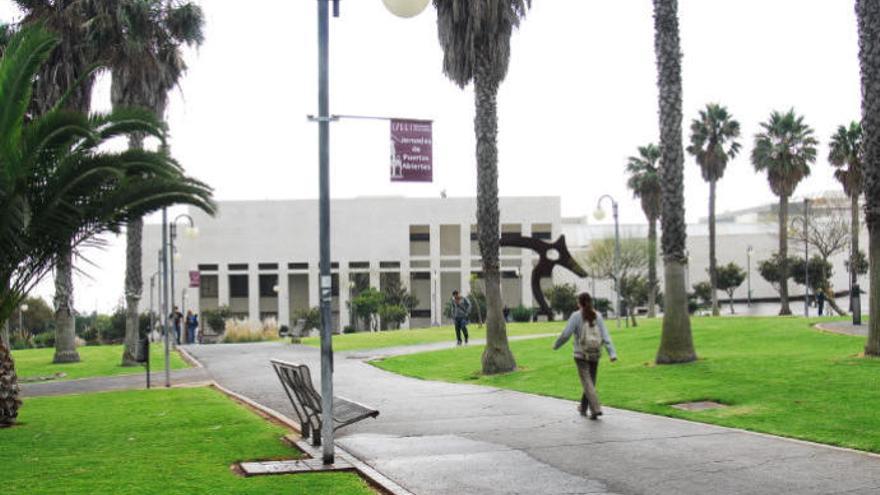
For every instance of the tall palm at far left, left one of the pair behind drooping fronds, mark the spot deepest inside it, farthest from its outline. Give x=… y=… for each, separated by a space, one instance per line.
x=69 y=68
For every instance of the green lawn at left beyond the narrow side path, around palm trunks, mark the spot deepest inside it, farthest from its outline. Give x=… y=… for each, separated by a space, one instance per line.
x=94 y=361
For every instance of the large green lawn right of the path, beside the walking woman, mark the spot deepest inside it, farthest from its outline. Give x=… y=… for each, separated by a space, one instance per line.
x=778 y=375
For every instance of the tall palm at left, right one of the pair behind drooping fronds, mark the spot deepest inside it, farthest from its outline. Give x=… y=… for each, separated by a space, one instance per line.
x=146 y=66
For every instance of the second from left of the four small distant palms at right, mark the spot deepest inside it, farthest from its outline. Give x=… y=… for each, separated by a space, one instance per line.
x=713 y=145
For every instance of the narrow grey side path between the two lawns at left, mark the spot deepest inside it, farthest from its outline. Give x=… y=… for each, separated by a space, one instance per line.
x=189 y=376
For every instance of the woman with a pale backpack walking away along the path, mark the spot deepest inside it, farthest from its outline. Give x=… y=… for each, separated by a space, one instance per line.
x=590 y=335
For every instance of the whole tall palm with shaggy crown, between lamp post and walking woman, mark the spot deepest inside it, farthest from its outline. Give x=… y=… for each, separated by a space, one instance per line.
x=475 y=37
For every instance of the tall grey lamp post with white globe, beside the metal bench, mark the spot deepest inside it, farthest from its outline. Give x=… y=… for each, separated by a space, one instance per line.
x=402 y=8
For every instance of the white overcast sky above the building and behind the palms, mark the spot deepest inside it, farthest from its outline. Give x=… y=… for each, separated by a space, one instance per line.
x=579 y=98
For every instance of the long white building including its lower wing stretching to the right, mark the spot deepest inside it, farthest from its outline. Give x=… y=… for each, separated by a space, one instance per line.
x=260 y=258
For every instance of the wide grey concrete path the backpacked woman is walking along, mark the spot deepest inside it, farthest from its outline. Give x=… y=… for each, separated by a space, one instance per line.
x=440 y=438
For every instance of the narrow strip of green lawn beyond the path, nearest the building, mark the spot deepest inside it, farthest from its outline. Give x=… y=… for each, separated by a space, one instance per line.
x=394 y=338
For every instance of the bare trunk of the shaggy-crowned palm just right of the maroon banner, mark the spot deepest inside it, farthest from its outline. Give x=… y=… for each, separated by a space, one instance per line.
x=497 y=357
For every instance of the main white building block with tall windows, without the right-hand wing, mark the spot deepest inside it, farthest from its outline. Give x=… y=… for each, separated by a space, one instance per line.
x=260 y=258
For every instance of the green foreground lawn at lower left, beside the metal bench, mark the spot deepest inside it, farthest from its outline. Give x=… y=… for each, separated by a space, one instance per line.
x=176 y=441
